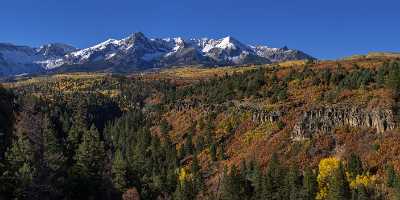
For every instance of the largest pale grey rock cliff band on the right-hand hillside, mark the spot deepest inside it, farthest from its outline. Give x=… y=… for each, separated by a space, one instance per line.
x=325 y=118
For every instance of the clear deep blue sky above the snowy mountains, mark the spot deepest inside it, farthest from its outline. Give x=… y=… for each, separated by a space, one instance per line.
x=322 y=28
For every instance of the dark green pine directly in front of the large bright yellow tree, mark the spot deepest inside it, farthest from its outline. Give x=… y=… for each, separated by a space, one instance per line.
x=338 y=186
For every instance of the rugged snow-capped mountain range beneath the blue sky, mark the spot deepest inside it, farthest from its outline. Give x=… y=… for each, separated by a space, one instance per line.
x=137 y=52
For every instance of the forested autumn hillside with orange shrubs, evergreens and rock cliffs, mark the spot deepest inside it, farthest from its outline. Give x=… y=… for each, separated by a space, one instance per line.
x=205 y=133
